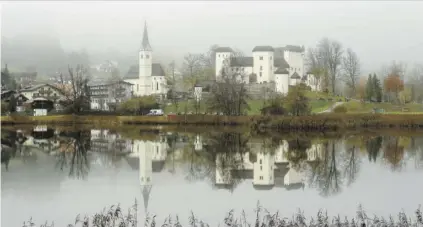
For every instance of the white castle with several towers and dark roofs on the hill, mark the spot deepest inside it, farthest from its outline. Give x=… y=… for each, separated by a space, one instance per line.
x=284 y=66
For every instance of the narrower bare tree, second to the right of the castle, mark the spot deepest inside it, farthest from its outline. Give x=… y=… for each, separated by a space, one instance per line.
x=351 y=69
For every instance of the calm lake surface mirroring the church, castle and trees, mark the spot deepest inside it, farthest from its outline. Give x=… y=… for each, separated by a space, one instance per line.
x=54 y=174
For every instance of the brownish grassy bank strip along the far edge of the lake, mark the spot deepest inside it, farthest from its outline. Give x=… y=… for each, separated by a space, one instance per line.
x=329 y=122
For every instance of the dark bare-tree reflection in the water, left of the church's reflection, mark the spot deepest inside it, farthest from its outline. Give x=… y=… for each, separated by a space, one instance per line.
x=73 y=154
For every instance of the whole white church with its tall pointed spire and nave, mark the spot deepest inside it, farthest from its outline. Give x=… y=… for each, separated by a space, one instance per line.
x=148 y=78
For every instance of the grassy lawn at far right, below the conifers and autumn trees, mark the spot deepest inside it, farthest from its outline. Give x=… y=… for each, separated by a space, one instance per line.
x=358 y=107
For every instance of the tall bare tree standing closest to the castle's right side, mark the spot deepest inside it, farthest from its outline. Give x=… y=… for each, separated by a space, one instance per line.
x=330 y=52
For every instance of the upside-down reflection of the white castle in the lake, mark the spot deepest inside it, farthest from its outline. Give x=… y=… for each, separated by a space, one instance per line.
x=267 y=168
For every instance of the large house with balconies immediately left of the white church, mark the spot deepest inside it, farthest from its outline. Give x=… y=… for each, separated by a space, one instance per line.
x=106 y=96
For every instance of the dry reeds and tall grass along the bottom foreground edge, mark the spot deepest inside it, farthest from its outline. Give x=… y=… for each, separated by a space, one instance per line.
x=113 y=217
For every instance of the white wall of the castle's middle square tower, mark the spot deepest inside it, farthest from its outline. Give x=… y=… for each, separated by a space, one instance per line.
x=264 y=67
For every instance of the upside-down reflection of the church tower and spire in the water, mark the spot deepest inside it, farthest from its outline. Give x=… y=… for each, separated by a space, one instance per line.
x=146 y=174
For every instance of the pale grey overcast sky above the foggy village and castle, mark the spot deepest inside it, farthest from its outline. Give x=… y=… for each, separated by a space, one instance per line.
x=378 y=31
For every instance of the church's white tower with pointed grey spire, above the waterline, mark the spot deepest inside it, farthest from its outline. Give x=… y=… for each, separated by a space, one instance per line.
x=145 y=64
